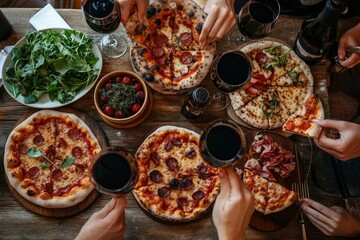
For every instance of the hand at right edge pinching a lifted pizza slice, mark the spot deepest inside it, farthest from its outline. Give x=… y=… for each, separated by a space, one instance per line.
x=343 y=148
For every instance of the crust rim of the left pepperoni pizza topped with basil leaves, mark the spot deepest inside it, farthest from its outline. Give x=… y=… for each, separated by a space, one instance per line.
x=77 y=194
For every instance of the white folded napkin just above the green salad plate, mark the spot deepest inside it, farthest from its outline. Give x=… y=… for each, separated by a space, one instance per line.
x=46 y=18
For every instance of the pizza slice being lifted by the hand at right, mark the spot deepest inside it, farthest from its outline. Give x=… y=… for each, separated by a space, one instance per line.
x=301 y=121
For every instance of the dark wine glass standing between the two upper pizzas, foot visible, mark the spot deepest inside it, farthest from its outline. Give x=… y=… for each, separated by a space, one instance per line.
x=230 y=71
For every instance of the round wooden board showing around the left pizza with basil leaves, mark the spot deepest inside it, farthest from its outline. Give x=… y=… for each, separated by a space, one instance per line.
x=63 y=212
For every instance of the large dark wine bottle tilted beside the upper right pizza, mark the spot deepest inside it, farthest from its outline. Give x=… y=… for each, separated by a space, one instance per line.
x=317 y=34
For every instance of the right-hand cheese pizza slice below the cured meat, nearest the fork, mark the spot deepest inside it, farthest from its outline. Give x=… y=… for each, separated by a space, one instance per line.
x=278 y=198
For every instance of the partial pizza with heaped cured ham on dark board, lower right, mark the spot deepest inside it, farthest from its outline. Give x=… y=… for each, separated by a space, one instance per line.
x=267 y=157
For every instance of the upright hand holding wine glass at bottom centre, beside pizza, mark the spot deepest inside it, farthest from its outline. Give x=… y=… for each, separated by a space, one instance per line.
x=233 y=207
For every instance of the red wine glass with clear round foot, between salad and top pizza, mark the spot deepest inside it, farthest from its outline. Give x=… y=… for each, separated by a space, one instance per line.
x=103 y=16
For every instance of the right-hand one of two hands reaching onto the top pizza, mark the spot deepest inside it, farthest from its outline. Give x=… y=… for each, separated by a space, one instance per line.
x=220 y=20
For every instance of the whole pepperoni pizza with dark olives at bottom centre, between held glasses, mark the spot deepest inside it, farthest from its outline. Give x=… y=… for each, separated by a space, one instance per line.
x=175 y=183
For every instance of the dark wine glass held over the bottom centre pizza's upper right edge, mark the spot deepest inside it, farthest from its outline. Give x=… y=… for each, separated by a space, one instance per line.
x=222 y=143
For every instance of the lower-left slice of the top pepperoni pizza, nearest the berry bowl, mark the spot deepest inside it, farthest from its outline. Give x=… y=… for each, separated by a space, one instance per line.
x=154 y=65
